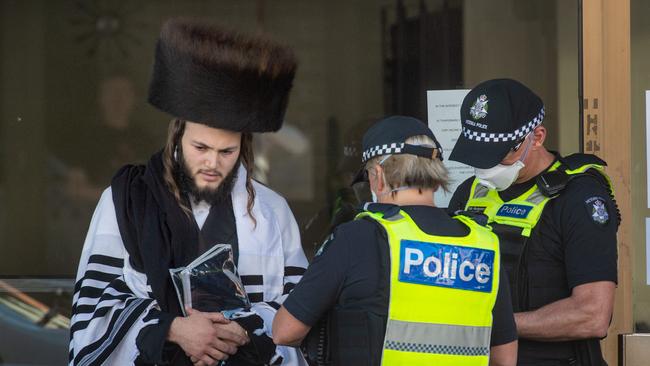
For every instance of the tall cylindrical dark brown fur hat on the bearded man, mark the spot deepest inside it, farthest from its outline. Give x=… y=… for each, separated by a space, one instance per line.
x=206 y=74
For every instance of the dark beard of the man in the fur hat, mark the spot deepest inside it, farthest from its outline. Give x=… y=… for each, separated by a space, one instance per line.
x=213 y=196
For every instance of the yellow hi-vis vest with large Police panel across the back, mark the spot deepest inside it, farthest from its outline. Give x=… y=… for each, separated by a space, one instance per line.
x=442 y=291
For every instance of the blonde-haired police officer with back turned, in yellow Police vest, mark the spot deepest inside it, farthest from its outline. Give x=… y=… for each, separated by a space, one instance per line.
x=404 y=283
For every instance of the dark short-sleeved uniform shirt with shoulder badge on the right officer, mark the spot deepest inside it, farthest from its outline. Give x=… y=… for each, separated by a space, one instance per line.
x=577 y=231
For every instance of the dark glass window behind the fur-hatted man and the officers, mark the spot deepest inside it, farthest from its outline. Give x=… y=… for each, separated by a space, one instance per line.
x=73 y=104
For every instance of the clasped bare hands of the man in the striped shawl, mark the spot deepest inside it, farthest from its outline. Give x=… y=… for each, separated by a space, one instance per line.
x=198 y=336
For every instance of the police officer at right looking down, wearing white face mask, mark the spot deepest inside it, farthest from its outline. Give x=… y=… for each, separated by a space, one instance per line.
x=555 y=217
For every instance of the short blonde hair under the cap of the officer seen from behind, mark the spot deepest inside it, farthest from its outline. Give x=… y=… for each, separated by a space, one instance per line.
x=413 y=171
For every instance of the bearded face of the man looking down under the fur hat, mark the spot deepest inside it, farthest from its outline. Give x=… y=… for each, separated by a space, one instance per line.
x=209 y=154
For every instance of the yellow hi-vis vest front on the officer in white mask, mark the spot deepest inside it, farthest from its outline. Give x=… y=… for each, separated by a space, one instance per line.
x=524 y=211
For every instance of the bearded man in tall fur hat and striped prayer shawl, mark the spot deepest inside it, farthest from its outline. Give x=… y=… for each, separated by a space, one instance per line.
x=198 y=191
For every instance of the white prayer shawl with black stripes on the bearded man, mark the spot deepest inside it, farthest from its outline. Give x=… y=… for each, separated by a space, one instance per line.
x=113 y=302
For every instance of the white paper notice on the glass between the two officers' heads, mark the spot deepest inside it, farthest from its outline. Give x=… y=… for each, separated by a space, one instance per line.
x=443 y=108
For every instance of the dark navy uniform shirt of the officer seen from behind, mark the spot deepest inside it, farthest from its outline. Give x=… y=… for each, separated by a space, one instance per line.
x=346 y=273
